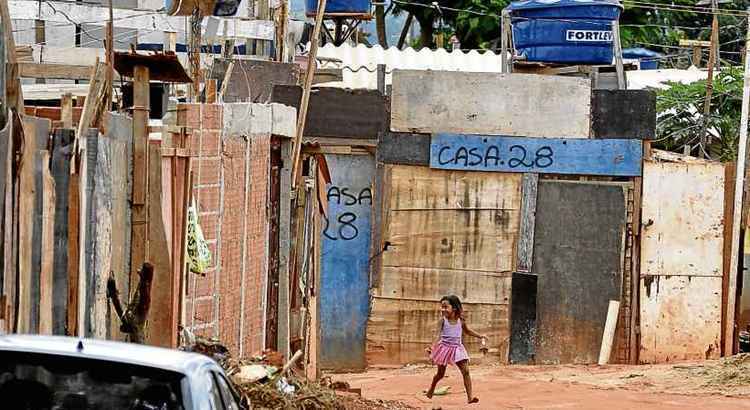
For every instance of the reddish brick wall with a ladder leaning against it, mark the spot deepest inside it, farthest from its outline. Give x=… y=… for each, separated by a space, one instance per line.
x=230 y=184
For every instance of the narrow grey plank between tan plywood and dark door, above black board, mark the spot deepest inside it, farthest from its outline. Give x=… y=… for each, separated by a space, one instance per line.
x=525 y=247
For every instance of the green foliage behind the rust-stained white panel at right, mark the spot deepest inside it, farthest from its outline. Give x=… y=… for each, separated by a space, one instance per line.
x=680 y=115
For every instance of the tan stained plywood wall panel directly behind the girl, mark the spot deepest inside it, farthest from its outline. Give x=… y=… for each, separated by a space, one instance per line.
x=449 y=232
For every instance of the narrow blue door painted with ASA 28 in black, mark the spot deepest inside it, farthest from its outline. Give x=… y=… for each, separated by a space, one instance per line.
x=344 y=280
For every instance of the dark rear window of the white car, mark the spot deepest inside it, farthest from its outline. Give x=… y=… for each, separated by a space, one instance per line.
x=44 y=381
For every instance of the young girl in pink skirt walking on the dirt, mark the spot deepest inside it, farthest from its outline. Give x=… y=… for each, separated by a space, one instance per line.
x=448 y=348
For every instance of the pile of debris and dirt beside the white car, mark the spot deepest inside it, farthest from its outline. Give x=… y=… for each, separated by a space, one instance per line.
x=266 y=382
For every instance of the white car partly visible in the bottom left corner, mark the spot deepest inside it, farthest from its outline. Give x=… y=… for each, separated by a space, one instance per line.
x=66 y=373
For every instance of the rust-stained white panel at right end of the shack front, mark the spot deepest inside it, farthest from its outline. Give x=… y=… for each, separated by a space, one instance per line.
x=681 y=259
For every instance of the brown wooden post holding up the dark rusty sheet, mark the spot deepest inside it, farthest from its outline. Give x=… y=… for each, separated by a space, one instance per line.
x=139 y=233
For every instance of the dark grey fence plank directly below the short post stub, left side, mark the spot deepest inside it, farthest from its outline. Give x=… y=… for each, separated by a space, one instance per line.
x=61 y=154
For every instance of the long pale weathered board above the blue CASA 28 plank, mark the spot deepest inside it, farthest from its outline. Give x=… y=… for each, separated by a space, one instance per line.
x=482 y=103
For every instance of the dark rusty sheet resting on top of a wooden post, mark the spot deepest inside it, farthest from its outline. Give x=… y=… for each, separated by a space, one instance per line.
x=161 y=66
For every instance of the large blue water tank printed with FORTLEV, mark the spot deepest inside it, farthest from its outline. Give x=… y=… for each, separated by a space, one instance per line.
x=565 y=31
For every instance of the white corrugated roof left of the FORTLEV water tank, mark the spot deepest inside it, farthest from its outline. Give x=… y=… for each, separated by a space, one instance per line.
x=359 y=63
